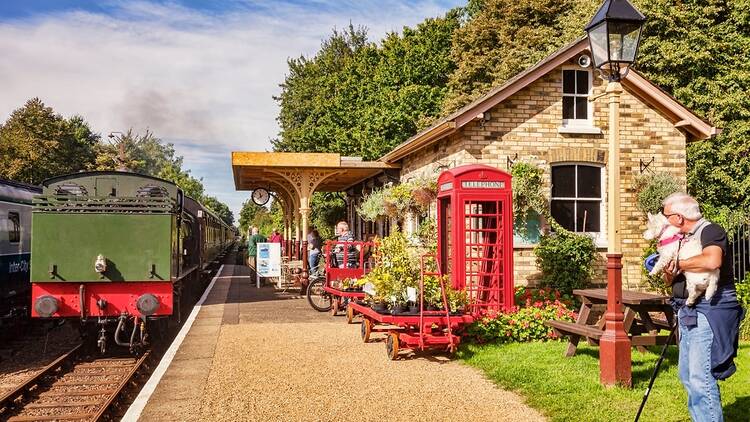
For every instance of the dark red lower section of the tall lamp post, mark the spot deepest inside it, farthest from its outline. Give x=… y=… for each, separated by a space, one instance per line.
x=614 y=346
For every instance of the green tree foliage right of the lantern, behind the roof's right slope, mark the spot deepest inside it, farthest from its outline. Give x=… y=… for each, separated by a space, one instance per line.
x=697 y=51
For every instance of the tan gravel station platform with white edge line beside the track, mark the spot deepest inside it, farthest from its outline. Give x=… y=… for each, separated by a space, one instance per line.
x=261 y=354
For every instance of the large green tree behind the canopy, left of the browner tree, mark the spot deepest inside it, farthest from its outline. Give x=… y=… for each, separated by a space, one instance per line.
x=358 y=98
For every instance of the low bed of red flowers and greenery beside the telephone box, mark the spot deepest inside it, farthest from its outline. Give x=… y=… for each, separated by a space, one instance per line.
x=522 y=324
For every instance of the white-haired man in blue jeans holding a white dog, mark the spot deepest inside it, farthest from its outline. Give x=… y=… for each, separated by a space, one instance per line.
x=709 y=331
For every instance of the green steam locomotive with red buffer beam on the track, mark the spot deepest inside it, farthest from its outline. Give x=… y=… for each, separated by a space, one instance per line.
x=117 y=249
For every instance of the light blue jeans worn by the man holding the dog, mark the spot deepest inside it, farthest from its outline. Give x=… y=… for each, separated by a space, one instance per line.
x=704 y=399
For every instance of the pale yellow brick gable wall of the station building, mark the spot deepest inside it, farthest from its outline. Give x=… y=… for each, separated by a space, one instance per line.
x=527 y=124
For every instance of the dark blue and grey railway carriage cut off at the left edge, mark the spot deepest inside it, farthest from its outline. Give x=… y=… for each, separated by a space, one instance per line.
x=15 y=247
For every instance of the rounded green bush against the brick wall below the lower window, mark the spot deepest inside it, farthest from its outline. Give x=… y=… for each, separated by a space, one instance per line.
x=566 y=260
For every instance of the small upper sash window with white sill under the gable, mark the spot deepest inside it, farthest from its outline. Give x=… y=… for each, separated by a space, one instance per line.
x=577 y=112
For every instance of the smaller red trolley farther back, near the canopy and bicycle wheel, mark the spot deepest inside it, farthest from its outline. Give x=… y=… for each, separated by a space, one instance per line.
x=345 y=260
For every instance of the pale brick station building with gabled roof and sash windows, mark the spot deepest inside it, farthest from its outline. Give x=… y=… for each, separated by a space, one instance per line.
x=551 y=115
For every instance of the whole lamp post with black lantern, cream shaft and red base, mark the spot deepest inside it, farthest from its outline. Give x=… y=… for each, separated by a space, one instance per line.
x=614 y=34
